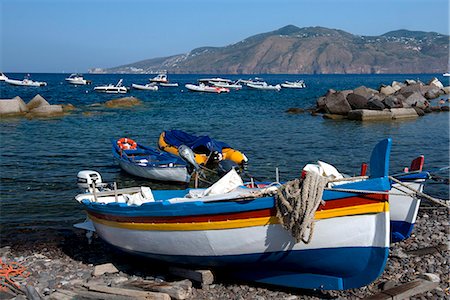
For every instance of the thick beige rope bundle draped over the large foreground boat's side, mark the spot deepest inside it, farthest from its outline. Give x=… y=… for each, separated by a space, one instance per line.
x=296 y=203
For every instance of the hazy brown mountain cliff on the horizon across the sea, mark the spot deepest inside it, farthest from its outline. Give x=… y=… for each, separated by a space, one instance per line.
x=310 y=50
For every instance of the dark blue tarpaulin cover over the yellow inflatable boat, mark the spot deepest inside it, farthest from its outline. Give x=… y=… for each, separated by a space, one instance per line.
x=199 y=144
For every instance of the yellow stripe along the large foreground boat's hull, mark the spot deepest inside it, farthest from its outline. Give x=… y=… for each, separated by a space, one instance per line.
x=230 y=224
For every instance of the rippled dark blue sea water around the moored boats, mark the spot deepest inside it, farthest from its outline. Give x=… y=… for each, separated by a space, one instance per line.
x=40 y=159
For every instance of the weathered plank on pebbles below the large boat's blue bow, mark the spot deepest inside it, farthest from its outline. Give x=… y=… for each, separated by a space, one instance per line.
x=405 y=291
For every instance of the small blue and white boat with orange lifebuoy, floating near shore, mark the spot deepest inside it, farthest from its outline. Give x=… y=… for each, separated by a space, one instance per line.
x=146 y=162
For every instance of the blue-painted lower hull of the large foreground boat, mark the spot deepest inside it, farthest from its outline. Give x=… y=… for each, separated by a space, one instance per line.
x=326 y=269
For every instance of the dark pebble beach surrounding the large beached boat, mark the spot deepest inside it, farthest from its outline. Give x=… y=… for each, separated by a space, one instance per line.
x=66 y=261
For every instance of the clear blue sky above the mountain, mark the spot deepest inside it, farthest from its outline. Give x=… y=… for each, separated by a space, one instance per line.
x=74 y=35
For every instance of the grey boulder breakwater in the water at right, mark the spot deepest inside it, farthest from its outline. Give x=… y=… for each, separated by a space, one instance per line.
x=395 y=101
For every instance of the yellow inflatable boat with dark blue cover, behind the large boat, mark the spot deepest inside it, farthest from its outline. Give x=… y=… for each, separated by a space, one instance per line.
x=206 y=149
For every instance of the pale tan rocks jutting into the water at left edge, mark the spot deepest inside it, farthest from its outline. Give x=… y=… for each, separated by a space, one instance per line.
x=37 y=107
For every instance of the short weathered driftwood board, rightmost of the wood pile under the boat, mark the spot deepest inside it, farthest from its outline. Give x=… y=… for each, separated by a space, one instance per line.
x=178 y=290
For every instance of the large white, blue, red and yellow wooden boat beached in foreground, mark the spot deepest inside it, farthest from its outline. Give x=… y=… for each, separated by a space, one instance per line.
x=238 y=229
